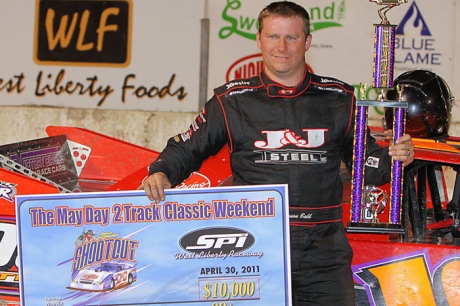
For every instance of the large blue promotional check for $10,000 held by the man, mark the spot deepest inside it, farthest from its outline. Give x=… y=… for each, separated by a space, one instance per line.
x=216 y=246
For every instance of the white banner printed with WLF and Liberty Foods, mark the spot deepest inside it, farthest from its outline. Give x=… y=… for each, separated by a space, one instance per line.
x=113 y=54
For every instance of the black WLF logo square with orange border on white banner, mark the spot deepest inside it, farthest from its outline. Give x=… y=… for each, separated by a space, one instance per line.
x=83 y=32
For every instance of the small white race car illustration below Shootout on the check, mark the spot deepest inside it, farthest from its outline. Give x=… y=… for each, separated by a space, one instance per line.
x=104 y=276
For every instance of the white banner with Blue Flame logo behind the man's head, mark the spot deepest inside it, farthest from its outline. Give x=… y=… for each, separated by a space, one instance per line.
x=343 y=39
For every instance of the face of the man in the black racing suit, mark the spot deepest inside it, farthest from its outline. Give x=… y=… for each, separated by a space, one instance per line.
x=283 y=44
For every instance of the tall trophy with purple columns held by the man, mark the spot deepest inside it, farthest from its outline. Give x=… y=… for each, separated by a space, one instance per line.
x=361 y=204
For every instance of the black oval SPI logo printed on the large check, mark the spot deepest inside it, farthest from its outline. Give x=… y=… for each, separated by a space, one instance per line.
x=217 y=239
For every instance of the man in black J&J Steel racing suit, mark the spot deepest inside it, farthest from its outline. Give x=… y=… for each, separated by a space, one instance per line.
x=286 y=126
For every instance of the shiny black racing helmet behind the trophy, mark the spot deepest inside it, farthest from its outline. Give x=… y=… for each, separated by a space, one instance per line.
x=429 y=104
